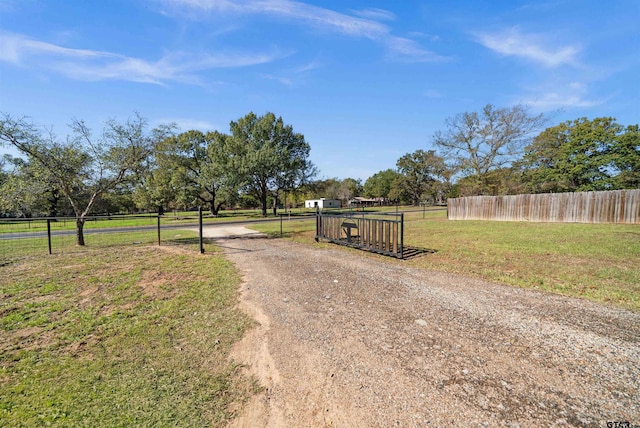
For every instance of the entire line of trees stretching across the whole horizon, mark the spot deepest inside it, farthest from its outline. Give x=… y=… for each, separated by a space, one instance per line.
x=261 y=162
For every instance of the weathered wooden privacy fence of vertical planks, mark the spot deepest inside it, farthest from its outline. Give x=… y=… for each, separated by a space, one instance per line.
x=616 y=206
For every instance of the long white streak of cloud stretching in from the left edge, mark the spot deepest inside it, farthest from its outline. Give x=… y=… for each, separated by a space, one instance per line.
x=94 y=65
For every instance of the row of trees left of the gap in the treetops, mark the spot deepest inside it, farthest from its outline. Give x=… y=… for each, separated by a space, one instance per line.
x=127 y=166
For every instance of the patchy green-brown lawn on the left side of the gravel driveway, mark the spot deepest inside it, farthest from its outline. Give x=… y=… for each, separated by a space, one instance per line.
x=119 y=337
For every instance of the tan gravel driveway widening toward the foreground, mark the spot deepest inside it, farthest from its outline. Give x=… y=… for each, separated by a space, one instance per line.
x=349 y=339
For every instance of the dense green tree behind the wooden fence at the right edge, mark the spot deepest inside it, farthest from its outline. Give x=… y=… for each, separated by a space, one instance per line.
x=583 y=155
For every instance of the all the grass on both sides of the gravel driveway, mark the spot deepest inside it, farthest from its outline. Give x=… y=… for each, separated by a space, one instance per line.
x=120 y=335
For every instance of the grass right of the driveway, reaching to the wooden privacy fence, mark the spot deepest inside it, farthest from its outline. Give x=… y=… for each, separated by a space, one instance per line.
x=597 y=262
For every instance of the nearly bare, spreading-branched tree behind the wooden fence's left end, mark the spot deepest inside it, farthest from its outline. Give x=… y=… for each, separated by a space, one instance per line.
x=478 y=143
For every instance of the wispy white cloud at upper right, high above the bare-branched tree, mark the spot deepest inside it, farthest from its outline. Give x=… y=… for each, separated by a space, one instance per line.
x=533 y=47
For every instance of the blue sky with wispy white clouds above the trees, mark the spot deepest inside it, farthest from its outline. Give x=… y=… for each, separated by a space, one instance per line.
x=364 y=81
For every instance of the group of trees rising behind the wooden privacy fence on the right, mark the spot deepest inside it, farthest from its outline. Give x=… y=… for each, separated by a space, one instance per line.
x=501 y=151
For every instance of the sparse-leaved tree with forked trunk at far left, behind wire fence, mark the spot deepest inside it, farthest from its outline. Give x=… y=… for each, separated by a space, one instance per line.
x=83 y=168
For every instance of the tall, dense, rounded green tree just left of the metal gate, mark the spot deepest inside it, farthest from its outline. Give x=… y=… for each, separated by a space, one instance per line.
x=268 y=157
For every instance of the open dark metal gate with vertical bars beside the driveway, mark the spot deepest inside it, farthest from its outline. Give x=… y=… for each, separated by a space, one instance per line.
x=377 y=232
